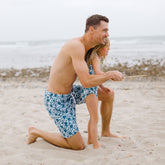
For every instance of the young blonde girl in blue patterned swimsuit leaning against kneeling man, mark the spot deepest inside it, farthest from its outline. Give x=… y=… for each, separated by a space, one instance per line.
x=93 y=58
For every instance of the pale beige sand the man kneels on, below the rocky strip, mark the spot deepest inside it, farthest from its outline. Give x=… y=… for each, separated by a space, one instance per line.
x=139 y=114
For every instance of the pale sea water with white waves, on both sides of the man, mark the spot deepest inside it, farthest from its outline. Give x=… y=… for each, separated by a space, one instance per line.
x=33 y=54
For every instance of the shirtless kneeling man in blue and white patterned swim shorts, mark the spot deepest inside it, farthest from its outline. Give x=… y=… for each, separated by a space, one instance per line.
x=61 y=96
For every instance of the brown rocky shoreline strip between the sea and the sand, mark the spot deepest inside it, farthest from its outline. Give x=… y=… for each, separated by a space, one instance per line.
x=147 y=69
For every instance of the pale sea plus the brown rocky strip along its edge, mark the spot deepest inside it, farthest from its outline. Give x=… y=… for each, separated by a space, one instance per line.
x=130 y=55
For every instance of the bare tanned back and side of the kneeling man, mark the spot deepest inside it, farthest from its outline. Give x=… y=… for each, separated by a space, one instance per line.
x=62 y=75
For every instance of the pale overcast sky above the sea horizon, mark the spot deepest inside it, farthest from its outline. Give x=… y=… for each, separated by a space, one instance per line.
x=22 y=20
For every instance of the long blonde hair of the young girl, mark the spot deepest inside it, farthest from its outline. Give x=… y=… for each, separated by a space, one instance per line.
x=95 y=51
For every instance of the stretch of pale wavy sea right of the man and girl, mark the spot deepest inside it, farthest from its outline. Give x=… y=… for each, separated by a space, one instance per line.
x=134 y=49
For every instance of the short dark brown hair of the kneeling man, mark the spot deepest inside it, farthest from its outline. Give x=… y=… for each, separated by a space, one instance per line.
x=95 y=20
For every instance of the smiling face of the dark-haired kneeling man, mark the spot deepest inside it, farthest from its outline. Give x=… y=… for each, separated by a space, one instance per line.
x=101 y=32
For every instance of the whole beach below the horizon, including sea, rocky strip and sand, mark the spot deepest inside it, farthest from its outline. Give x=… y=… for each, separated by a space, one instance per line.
x=139 y=107
